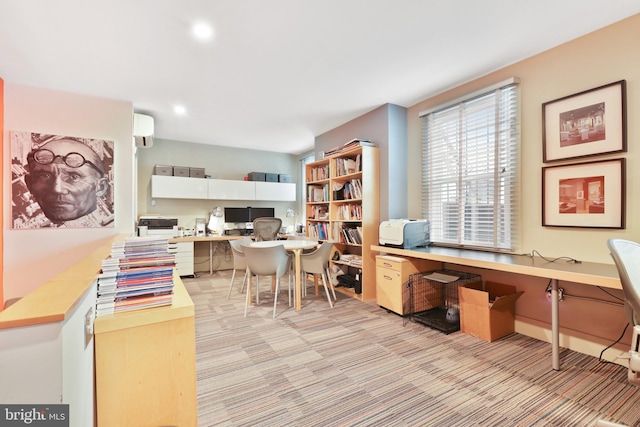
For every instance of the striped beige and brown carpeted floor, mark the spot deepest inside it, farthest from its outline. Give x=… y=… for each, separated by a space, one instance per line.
x=357 y=365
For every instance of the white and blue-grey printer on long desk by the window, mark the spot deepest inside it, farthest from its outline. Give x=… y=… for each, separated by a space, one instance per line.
x=404 y=233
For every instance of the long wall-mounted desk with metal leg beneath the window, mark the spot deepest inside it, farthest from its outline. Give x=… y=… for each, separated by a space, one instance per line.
x=588 y=273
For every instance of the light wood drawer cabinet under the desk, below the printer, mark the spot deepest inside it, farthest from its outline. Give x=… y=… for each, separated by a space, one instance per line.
x=392 y=273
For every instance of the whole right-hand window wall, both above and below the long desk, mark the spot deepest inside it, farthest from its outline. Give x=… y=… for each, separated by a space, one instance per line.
x=601 y=57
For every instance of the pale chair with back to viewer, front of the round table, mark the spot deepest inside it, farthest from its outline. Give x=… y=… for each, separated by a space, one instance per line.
x=267 y=261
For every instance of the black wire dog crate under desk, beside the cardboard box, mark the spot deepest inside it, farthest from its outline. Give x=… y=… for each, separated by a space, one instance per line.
x=433 y=298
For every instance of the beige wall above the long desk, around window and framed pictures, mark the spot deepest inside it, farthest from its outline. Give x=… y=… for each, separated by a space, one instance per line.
x=602 y=57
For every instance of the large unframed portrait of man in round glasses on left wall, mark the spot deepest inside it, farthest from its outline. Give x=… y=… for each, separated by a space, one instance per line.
x=61 y=181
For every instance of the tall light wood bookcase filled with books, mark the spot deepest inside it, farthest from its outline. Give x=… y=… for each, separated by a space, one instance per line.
x=343 y=206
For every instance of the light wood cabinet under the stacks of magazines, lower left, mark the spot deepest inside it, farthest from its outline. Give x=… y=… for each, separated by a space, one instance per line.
x=145 y=365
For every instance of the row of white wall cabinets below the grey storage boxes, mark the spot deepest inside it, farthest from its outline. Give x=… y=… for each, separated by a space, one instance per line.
x=175 y=187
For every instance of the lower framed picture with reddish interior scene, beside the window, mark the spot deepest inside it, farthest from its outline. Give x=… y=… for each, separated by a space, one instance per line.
x=588 y=194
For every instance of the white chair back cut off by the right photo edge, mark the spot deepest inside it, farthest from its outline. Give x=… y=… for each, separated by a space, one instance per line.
x=626 y=255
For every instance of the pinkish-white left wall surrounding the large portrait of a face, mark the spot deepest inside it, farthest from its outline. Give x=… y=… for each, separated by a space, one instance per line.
x=31 y=257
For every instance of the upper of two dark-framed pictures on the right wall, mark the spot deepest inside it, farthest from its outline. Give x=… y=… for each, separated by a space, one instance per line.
x=585 y=124
